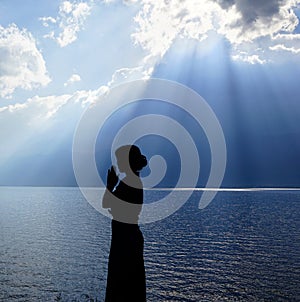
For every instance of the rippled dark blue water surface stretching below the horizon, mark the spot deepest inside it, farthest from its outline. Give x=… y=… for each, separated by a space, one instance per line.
x=244 y=247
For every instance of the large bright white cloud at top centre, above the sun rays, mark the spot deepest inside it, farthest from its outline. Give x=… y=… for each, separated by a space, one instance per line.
x=159 y=23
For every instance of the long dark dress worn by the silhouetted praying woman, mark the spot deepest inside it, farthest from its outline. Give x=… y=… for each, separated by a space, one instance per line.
x=126 y=271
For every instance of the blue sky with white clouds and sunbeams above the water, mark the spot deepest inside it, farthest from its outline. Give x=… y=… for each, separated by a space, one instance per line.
x=242 y=56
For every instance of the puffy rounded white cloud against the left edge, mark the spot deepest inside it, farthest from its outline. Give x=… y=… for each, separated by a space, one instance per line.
x=21 y=63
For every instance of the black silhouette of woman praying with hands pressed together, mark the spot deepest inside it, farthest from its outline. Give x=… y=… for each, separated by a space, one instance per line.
x=126 y=272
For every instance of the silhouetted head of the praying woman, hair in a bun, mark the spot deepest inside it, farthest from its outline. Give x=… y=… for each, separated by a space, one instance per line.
x=130 y=159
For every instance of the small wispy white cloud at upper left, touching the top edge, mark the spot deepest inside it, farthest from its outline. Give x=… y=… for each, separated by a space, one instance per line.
x=70 y=21
